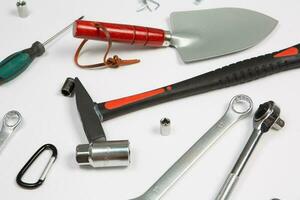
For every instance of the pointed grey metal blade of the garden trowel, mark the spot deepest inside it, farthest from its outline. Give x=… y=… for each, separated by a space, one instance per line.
x=204 y=34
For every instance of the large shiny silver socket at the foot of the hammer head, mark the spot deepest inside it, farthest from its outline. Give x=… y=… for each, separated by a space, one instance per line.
x=104 y=154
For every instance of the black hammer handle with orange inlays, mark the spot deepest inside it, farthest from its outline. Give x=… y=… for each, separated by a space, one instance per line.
x=234 y=74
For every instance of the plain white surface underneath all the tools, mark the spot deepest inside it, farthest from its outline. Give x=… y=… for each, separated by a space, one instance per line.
x=273 y=170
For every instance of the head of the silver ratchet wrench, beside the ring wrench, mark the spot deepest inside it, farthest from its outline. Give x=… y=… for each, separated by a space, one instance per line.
x=267 y=116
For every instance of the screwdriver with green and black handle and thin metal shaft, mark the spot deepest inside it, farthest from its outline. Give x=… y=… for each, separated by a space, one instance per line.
x=16 y=63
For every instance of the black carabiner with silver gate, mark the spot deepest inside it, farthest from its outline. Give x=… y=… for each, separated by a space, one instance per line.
x=29 y=163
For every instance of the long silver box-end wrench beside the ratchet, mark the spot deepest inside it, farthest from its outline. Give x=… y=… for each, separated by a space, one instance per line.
x=239 y=107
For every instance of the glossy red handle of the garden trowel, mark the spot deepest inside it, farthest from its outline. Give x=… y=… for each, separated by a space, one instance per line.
x=119 y=33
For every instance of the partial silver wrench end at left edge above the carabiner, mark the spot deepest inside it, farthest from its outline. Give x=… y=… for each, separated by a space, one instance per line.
x=11 y=121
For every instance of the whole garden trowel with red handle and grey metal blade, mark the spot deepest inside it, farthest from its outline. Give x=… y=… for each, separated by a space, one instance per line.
x=197 y=35
